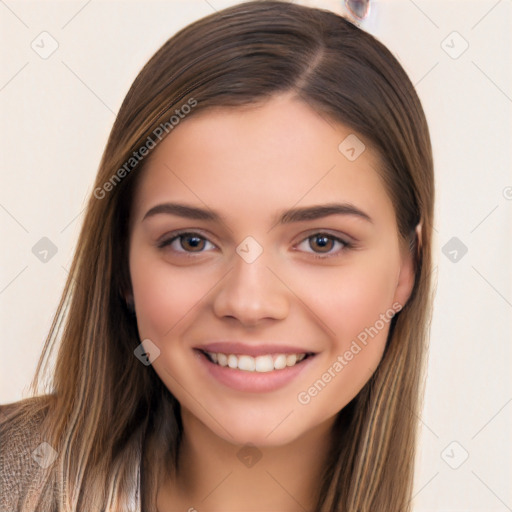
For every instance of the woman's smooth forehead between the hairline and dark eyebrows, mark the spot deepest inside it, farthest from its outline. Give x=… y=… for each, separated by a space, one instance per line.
x=261 y=159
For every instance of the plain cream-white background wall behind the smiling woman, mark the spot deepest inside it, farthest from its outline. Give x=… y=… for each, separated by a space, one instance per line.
x=57 y=113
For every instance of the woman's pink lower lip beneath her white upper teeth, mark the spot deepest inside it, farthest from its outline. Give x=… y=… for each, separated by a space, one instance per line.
x=253 y=382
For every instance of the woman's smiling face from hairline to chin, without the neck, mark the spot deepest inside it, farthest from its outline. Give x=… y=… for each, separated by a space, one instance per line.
x=265 y=233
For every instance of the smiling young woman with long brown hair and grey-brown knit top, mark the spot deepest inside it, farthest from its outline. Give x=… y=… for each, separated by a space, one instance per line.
x=245 y=321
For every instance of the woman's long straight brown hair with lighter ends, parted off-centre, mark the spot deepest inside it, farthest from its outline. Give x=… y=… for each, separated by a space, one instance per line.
x=109 y=417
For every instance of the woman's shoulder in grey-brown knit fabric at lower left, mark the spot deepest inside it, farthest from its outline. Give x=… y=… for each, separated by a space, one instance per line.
x=23 y=451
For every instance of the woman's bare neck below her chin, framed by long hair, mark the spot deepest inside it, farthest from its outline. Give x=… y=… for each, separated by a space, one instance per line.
x=217 y=476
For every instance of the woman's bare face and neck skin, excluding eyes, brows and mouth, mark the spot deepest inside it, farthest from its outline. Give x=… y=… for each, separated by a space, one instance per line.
x=249 y=165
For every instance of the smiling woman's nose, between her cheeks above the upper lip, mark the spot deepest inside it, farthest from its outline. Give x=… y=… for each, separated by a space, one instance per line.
x=251 y=293
